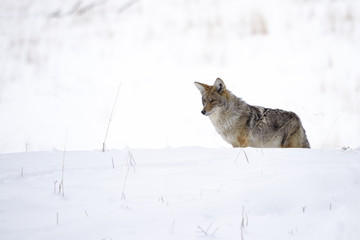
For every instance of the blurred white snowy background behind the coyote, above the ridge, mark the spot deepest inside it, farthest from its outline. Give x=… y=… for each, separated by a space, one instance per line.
x=62 y=62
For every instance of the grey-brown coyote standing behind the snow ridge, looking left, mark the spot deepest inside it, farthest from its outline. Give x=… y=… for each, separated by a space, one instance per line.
x=244 y=125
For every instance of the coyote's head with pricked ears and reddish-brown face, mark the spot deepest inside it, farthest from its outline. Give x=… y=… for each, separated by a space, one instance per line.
x=213 y=97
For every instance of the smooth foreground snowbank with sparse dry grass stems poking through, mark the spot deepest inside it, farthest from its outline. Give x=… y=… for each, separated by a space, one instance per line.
x=181 y=193
